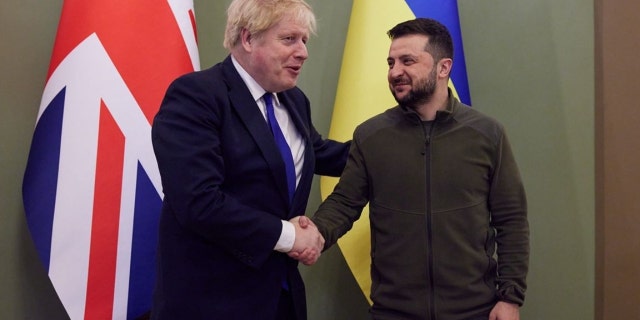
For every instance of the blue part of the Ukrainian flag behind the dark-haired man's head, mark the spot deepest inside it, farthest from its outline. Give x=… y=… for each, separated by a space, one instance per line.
x=446 y=11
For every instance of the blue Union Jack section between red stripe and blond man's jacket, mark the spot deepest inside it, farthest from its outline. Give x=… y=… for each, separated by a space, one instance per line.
x=143 y=247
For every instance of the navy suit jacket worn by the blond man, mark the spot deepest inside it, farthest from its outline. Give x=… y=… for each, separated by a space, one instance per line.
x=225 y=192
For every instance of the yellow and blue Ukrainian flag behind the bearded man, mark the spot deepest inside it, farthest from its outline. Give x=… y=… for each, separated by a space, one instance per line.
x=363 y=92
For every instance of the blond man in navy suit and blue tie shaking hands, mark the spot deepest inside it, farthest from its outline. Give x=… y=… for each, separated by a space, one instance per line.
x=237 y=153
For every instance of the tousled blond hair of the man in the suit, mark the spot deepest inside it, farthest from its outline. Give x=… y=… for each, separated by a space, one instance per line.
x=257 y=16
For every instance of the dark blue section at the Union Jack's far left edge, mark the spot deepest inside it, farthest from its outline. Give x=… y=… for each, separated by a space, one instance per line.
x=41 y=176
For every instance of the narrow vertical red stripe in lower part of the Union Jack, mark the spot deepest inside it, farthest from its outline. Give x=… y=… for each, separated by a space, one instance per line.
x=106 y=218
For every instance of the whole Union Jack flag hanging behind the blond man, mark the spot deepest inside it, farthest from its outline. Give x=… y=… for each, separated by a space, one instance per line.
x=91 y=189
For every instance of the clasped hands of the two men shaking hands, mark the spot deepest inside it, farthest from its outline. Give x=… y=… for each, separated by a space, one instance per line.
x=309 y=243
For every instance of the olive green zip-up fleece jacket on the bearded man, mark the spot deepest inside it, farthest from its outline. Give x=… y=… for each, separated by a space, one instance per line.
x=441 y=202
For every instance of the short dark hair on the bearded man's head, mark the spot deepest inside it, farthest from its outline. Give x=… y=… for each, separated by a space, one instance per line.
x=439 y=45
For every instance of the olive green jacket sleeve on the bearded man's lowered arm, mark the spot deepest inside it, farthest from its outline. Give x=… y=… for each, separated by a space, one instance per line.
x=508 y=206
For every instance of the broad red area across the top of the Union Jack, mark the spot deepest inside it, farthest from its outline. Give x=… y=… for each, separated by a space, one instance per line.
x=141 y=37
